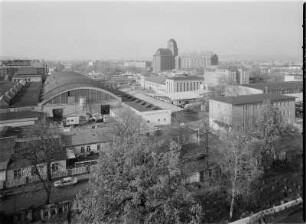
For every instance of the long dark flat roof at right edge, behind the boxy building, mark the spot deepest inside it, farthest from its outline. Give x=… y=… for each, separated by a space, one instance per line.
x=273 y=86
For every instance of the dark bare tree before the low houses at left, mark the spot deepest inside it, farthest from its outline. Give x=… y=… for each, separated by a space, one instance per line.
x=41 y=148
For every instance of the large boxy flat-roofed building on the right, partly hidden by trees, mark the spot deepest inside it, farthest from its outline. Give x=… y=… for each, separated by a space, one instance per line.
x=241 y=111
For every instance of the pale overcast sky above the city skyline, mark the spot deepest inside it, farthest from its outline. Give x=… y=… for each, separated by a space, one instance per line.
x=123 y=30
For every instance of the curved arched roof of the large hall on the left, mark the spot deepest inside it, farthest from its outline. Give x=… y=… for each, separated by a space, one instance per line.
x=61 y=82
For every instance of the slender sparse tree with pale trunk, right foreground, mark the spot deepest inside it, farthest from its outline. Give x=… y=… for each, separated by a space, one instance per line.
x=238 y=165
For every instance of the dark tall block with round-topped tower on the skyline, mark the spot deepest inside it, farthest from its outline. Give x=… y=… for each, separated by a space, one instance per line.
x=164 y=58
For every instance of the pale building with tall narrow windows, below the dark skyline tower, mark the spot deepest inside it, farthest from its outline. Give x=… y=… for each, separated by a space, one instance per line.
x=183 y=84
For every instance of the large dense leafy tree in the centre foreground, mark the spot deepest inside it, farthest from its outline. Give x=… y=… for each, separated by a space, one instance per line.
x=135 y=184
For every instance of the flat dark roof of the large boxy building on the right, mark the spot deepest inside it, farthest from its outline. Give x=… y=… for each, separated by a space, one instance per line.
x=253 y=99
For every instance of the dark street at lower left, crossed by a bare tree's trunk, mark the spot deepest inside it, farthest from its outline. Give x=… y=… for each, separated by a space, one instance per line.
x=38 y=197
